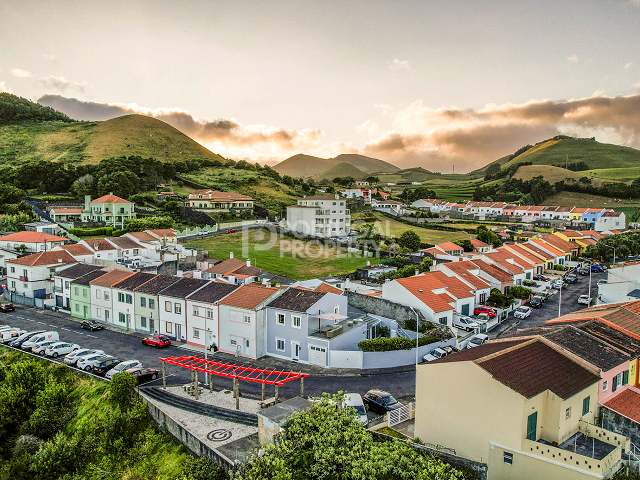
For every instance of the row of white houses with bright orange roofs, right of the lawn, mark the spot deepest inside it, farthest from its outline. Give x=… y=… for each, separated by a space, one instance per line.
x=460 y=281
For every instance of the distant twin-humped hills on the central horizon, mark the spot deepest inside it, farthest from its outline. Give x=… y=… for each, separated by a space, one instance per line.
x=308 y=166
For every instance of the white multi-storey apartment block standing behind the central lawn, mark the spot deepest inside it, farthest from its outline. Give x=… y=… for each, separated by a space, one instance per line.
x=324 y=216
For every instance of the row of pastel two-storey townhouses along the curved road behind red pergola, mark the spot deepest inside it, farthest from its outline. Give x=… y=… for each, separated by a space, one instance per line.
x=250 y=320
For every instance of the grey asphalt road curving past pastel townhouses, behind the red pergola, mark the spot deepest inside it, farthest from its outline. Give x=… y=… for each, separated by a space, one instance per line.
x=125 y=346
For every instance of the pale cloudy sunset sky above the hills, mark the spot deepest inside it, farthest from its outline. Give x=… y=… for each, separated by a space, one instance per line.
x=446 y=85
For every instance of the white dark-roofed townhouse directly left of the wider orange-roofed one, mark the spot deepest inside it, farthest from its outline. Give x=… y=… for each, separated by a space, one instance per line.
x=203 y=313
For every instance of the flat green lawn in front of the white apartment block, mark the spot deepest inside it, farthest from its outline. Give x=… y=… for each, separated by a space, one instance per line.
x=286 y=256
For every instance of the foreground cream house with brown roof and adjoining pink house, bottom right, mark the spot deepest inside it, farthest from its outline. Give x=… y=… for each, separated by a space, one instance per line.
x=558 y=402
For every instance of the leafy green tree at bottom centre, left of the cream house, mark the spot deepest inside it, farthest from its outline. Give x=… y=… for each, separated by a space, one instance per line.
x=327 y=443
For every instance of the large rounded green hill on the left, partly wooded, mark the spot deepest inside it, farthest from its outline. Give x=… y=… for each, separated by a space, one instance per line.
x=31 y=132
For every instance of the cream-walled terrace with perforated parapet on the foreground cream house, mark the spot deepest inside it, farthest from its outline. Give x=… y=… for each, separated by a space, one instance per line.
x=591 y=448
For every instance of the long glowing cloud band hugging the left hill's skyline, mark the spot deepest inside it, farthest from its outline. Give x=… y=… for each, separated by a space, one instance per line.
x=222 y=135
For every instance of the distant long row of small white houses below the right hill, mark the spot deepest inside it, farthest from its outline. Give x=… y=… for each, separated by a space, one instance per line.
x=602 y=219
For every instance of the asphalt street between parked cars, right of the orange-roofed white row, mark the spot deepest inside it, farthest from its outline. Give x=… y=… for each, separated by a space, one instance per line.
x=549 y=310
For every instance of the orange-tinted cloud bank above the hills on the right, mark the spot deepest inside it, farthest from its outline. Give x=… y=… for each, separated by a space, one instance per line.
x=436 y=138
